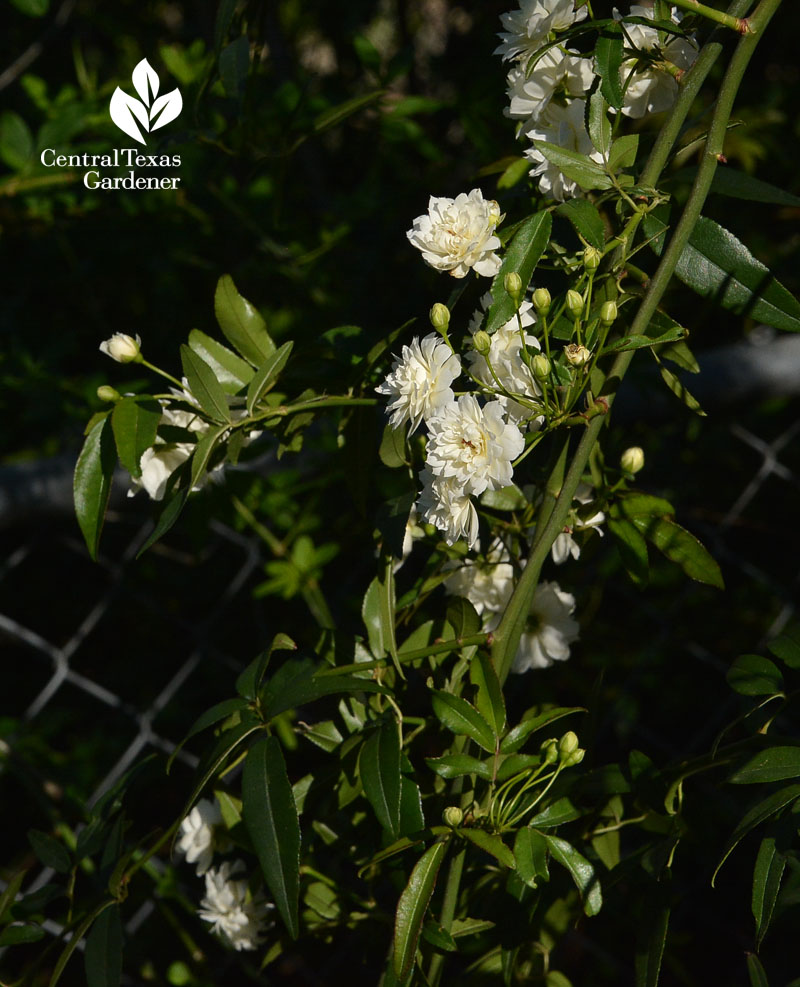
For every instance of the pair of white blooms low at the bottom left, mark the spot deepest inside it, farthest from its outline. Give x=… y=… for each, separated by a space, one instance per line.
x=236 y=915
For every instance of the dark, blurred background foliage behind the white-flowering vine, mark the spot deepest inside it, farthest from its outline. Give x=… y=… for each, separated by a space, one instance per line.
x=311 y=136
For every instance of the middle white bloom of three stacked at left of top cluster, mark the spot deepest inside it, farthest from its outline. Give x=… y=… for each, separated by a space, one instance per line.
x=558 y=71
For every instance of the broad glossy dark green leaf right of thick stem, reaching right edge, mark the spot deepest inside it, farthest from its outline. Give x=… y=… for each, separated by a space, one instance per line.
x=717 y=265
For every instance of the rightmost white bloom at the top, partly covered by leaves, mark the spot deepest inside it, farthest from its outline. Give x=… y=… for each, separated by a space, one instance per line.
x=648 y=87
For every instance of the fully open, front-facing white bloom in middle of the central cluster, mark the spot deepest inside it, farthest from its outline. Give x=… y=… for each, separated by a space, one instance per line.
x=473 y=445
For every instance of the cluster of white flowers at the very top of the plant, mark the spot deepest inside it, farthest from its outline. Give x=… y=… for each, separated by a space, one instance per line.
x=548 y=98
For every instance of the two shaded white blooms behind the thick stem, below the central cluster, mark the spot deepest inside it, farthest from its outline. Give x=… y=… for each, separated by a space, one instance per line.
x=550 y=628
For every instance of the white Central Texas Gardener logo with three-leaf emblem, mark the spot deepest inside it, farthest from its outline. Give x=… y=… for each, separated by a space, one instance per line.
x=136 y=118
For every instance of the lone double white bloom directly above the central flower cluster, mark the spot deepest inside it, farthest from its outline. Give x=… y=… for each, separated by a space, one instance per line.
x=458 y=234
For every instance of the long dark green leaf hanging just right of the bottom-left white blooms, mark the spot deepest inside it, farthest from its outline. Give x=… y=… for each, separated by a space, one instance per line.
x=270 y=816
